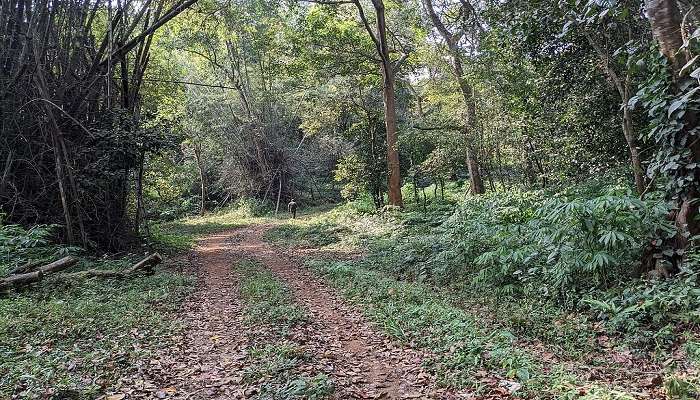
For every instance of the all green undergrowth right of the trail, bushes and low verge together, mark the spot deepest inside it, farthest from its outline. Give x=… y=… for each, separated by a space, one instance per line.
x=517 y=278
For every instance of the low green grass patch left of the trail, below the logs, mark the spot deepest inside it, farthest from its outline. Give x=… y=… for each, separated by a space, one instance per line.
x=71 y=340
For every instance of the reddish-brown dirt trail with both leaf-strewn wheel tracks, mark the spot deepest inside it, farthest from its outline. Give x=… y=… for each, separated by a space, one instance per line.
x=208 y=361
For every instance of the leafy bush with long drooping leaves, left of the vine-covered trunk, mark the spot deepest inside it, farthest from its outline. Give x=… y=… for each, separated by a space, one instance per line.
x=575 y=244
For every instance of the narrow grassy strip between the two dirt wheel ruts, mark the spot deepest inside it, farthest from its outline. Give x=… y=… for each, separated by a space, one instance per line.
x=275 y=359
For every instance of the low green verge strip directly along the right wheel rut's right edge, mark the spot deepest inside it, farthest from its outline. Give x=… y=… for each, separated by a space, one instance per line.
x=468 y=352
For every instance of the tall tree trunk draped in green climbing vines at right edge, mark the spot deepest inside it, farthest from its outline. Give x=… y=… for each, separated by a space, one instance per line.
x=676 y=126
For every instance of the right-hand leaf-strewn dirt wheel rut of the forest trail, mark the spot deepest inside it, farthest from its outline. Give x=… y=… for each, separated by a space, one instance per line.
x=363 y=363
